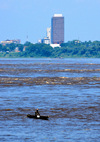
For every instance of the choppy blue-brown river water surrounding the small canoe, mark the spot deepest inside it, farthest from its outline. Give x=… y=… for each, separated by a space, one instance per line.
x=68 y=90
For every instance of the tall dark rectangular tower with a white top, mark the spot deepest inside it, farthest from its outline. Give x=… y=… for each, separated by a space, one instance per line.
x=57 y=29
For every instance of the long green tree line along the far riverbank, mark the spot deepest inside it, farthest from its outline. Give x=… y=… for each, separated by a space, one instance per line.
x=71 y=49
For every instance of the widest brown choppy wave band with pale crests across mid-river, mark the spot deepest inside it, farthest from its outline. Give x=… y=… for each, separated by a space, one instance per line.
x=27 y=81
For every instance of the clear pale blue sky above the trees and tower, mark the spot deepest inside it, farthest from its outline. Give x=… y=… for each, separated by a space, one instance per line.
x=20 y=19
